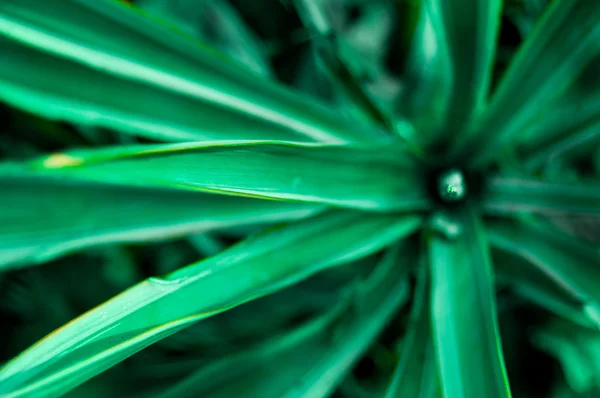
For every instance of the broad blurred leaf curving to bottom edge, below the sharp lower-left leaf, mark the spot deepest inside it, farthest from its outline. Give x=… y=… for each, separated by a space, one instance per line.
x=317 y=355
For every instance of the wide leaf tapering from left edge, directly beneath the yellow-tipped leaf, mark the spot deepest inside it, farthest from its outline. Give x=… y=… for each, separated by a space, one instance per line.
x=41 y=217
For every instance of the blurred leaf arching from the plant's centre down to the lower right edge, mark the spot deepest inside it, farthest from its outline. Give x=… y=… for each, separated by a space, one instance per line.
x=572 y=264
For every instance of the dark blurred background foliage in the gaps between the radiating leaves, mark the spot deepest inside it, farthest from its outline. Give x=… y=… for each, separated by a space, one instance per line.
x=384 y=44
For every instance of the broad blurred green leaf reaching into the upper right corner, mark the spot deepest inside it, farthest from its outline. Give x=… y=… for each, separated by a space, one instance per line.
x=565 y=41
